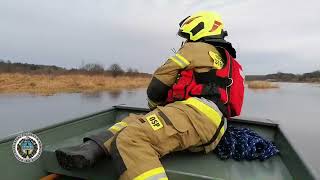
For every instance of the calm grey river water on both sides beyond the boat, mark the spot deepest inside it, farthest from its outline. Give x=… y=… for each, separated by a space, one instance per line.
x=294 y=105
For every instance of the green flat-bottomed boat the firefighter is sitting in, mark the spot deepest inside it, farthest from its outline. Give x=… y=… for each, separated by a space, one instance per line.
x=180 y=165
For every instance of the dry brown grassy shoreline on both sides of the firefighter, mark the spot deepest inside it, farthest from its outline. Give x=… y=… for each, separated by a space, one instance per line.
x=50 y=84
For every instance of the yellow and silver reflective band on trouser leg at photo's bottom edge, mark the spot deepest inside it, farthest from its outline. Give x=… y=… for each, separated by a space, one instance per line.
x=153 y=174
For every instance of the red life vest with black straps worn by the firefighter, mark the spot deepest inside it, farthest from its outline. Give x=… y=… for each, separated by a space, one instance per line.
x=226 y=85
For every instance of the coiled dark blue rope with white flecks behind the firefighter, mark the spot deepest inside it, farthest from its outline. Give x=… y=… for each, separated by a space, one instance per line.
x=244 y=144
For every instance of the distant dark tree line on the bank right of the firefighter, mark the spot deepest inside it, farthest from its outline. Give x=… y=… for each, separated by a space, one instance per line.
x=287 y=77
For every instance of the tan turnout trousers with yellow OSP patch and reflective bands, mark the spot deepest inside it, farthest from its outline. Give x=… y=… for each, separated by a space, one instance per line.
x=136 y=143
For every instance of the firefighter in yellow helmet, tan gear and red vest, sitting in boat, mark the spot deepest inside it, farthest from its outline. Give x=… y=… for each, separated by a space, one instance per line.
x=177 y=121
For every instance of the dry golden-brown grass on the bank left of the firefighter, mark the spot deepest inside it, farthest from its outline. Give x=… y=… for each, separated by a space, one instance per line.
x=51 y=84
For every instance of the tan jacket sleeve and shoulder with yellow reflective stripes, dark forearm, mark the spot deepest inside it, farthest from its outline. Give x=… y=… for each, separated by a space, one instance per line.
x=192 y=55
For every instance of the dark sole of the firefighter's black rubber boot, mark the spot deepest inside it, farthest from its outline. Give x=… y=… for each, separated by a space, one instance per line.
x=69 y=161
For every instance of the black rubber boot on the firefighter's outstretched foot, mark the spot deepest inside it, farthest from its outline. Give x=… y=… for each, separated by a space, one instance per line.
x=81 y=156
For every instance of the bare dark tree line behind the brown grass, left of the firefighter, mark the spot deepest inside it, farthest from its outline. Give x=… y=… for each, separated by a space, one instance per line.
x=88 y=69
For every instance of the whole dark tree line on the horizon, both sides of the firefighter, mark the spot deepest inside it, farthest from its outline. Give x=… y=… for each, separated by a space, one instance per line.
x=117 y=70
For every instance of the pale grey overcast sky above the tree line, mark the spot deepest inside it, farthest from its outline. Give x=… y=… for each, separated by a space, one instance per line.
x=269 y=35
